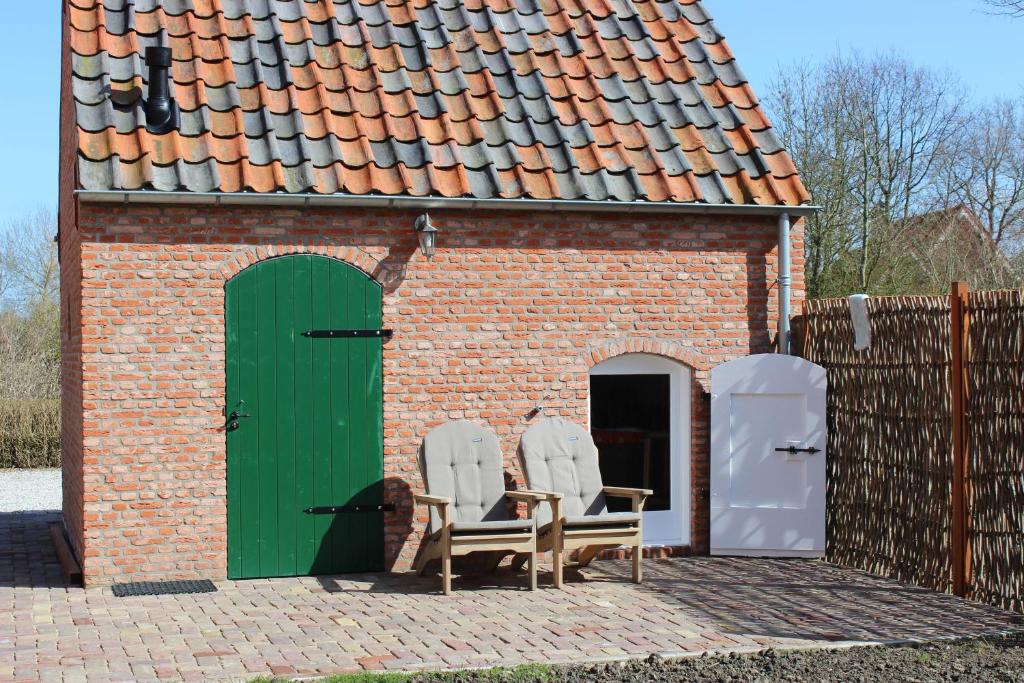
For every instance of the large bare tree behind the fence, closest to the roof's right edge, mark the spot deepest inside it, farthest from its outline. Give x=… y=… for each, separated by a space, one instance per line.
x=868 y=136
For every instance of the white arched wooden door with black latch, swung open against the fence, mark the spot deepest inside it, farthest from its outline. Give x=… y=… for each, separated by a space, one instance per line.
x=769 y=457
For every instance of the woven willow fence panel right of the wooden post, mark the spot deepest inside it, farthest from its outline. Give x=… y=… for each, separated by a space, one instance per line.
x=996 y=448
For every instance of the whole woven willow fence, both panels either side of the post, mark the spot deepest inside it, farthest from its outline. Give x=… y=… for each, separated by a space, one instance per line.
x=891 y=442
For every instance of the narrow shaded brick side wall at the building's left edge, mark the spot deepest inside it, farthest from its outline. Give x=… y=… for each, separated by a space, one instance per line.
x=71 y=340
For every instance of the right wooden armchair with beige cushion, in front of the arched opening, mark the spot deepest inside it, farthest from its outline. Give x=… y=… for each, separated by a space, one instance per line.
x=560 y=460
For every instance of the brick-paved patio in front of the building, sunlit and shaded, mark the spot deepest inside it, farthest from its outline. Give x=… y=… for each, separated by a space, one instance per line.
x=309 y=626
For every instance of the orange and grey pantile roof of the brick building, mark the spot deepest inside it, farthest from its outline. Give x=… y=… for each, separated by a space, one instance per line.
x=551 y=100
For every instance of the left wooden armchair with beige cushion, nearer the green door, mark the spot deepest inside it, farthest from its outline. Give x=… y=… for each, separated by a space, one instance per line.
x=470 y=513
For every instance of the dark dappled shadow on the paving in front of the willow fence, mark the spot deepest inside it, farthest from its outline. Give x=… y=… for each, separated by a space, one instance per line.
x=782 y=599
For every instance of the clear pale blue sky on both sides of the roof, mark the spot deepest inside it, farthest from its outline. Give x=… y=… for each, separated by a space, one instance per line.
x=984 y=51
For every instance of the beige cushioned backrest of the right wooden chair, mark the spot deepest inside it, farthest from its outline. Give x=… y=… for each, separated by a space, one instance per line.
x=561 y=456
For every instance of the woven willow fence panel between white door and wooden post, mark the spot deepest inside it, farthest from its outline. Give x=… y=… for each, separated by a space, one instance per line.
x=889 y=437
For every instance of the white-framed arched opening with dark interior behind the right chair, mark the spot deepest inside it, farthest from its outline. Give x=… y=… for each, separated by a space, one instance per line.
x=641 y=420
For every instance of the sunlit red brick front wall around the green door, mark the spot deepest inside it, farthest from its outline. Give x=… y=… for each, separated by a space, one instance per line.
x=511 y=314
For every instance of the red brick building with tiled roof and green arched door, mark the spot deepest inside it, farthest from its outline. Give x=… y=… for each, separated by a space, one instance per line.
x=607 y=192
